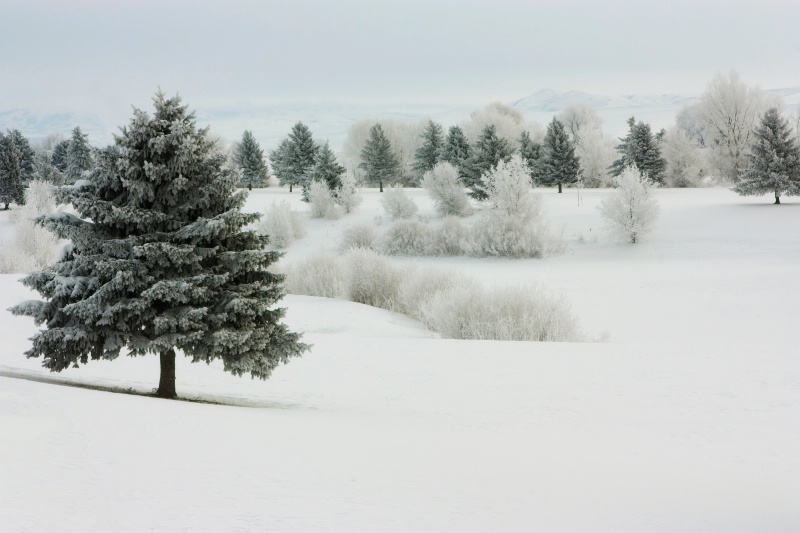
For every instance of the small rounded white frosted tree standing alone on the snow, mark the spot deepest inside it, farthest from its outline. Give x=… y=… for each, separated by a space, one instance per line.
x=631 y=211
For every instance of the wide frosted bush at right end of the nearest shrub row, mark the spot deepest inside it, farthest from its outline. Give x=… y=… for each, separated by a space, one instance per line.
x=518 y=313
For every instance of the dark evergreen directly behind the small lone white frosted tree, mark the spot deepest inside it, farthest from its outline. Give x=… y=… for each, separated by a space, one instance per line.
x=640 y=148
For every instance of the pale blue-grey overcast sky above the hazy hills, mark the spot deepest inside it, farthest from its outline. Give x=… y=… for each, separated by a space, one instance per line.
x=103 y=56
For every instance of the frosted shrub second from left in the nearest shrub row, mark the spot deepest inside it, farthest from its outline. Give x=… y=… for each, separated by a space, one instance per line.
x=371 y=279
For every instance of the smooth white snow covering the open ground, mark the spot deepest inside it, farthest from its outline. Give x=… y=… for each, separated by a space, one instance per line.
x=687 y=418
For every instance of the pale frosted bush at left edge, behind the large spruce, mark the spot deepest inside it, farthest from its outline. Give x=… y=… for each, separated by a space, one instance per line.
x=34 y=247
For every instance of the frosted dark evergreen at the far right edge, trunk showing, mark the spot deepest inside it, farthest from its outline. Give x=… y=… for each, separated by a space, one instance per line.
x=774 y=160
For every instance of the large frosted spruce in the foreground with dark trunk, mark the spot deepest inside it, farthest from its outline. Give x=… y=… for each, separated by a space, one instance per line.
x=159 y=261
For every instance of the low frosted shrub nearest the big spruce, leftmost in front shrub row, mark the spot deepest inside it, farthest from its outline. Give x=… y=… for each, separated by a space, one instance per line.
x=321 y=274
